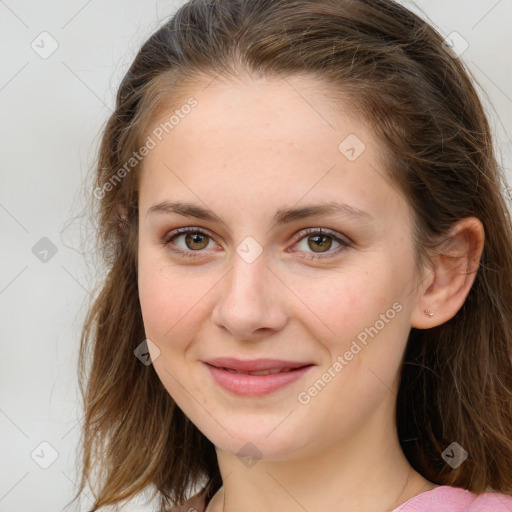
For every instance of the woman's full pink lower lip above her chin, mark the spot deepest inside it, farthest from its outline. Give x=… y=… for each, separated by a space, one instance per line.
x=255 y=385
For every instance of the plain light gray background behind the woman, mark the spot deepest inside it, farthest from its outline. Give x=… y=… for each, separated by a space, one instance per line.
x=52 y=111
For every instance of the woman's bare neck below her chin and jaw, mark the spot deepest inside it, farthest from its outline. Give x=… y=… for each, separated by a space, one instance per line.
x=366 y=471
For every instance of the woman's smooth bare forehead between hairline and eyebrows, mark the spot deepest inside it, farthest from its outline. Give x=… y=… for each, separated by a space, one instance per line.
x=276 y=140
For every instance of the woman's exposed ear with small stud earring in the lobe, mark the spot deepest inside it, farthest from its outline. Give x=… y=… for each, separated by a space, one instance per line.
x=453 y=272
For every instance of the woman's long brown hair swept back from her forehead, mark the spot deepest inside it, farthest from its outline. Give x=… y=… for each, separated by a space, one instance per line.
x=419 y=99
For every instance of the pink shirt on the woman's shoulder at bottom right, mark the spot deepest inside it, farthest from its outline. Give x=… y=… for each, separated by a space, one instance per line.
x=445 y=498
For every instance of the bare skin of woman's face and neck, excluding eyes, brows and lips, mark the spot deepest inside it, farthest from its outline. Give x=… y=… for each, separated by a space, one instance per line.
x=245 y=151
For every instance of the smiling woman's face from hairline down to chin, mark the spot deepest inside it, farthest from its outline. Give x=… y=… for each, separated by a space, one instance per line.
x=255 y=282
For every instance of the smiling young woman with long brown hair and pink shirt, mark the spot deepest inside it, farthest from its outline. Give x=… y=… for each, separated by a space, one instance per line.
x=306 y=235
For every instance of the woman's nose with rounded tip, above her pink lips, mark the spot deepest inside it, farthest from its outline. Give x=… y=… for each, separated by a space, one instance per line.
x=250 y=301
